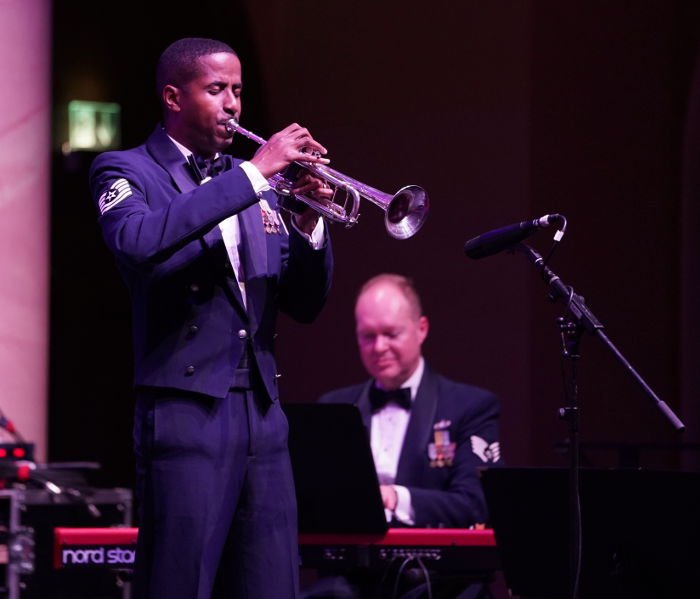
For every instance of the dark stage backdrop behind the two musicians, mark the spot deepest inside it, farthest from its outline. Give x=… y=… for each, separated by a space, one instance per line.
x=503 y=111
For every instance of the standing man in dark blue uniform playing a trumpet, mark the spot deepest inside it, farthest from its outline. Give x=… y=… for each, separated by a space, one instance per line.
x=208 y=261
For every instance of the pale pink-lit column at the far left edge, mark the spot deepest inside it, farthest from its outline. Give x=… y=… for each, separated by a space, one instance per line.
x=25 y=109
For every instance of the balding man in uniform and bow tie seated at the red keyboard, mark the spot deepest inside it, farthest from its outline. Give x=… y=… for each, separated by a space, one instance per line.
x=429 y=435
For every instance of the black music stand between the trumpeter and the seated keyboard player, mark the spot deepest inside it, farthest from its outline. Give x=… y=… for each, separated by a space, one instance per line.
x=336 y=481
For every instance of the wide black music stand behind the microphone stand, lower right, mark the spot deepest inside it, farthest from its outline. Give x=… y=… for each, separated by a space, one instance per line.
x=641 y=532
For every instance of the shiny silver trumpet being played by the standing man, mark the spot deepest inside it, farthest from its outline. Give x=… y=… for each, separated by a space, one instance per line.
x=405 y=211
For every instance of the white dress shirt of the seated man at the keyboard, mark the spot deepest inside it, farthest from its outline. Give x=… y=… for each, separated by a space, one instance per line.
x=387 y=433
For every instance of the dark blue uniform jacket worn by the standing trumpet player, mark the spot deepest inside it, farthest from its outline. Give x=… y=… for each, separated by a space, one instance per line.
x=189 y=323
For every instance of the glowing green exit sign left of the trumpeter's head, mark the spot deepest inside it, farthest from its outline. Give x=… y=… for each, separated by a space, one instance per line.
x=94 y=125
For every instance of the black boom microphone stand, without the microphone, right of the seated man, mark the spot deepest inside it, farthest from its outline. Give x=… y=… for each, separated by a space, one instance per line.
x=579 y=318
